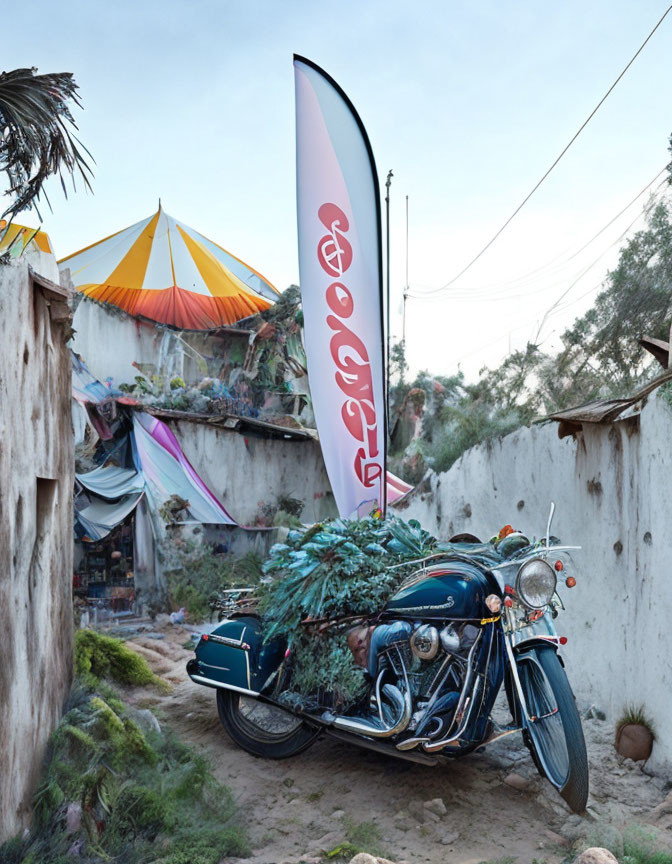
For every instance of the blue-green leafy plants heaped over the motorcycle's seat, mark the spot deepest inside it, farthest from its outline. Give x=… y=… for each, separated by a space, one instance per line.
x=335 y=570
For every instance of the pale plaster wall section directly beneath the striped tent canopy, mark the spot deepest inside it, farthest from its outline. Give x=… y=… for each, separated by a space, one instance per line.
x=110 y=342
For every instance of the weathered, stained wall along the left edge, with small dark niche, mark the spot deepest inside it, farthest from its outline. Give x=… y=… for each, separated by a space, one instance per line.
x=36 y=483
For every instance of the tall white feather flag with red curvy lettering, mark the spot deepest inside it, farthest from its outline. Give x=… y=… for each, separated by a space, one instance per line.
x=338 y=206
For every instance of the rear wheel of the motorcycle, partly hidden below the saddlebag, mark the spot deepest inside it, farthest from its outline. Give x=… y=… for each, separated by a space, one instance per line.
x=273 y=734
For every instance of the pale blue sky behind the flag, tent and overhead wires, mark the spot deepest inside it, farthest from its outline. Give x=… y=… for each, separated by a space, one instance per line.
x=468 y=102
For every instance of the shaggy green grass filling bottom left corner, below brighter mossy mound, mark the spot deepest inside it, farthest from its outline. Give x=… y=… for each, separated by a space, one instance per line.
x=143 y=797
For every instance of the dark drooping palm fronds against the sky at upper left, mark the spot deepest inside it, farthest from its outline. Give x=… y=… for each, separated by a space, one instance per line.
x=36 y=136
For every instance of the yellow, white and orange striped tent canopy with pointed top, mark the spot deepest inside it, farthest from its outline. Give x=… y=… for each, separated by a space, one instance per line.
x=163 y=270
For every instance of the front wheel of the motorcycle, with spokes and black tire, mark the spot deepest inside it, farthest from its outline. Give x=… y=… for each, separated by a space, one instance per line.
x=556 y=738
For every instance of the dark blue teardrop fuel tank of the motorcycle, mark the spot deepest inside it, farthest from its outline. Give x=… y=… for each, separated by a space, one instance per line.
x=452 y=589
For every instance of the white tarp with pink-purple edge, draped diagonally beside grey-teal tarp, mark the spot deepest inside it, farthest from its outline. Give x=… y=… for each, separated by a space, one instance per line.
x=167 y=471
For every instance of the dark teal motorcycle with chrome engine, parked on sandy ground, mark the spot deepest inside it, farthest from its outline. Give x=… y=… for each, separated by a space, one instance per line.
x=462 y=625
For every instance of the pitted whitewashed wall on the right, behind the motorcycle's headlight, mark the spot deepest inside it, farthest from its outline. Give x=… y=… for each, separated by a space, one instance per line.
x=613 y=492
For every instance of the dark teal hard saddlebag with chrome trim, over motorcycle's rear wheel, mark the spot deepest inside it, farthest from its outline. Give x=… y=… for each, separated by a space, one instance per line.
x=234 y=656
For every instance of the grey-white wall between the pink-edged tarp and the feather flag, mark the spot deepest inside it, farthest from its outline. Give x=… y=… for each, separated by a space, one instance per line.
x=245 y=472
